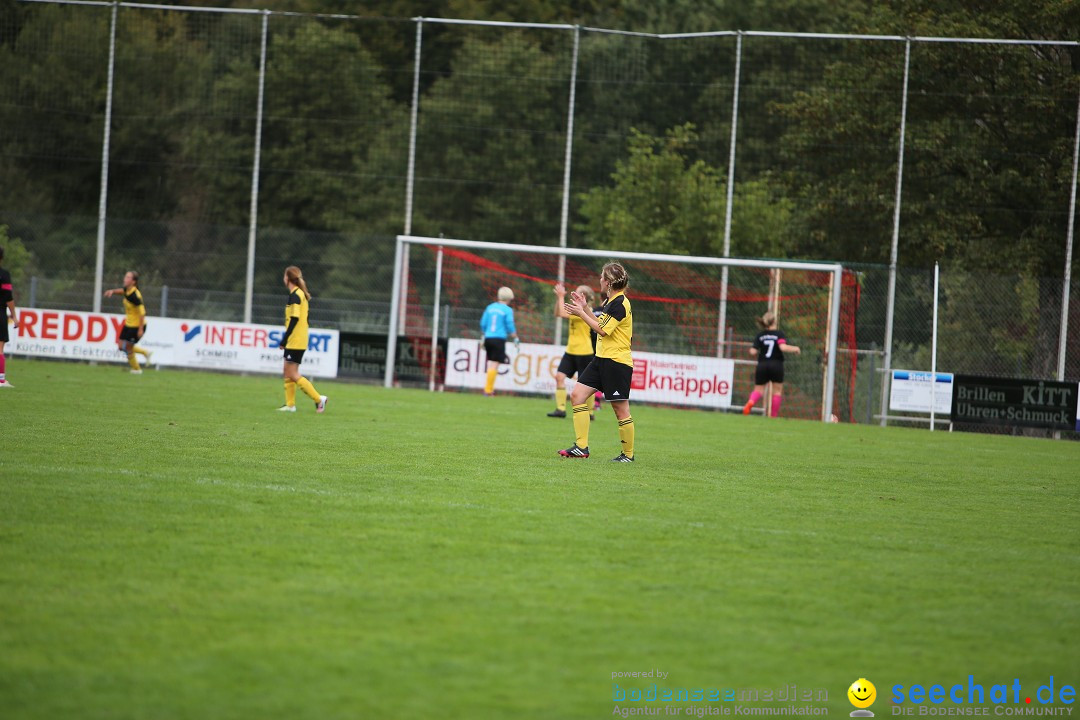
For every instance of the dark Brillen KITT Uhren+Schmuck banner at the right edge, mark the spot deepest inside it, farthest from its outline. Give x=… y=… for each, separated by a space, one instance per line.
x=1015 y=403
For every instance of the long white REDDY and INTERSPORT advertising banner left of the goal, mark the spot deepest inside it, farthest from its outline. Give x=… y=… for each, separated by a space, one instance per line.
x=175 y=343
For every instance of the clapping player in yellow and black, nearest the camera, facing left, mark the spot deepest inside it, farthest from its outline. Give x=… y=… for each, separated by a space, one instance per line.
x=613 y=369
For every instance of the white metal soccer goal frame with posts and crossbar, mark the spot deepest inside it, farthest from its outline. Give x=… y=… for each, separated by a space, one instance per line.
x=404 y=243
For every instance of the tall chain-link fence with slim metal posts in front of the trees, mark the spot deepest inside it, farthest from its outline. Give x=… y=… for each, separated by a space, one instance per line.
x=342 y=132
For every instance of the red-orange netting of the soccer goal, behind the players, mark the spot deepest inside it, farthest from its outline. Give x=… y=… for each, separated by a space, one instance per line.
x=692 y=336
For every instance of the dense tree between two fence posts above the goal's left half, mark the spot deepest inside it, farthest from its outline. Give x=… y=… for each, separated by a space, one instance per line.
x=491 y=143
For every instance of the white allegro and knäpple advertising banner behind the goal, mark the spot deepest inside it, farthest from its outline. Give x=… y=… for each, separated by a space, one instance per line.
x=658 y=377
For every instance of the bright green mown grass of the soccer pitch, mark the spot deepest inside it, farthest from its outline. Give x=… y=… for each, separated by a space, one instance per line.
x=172 y=548
